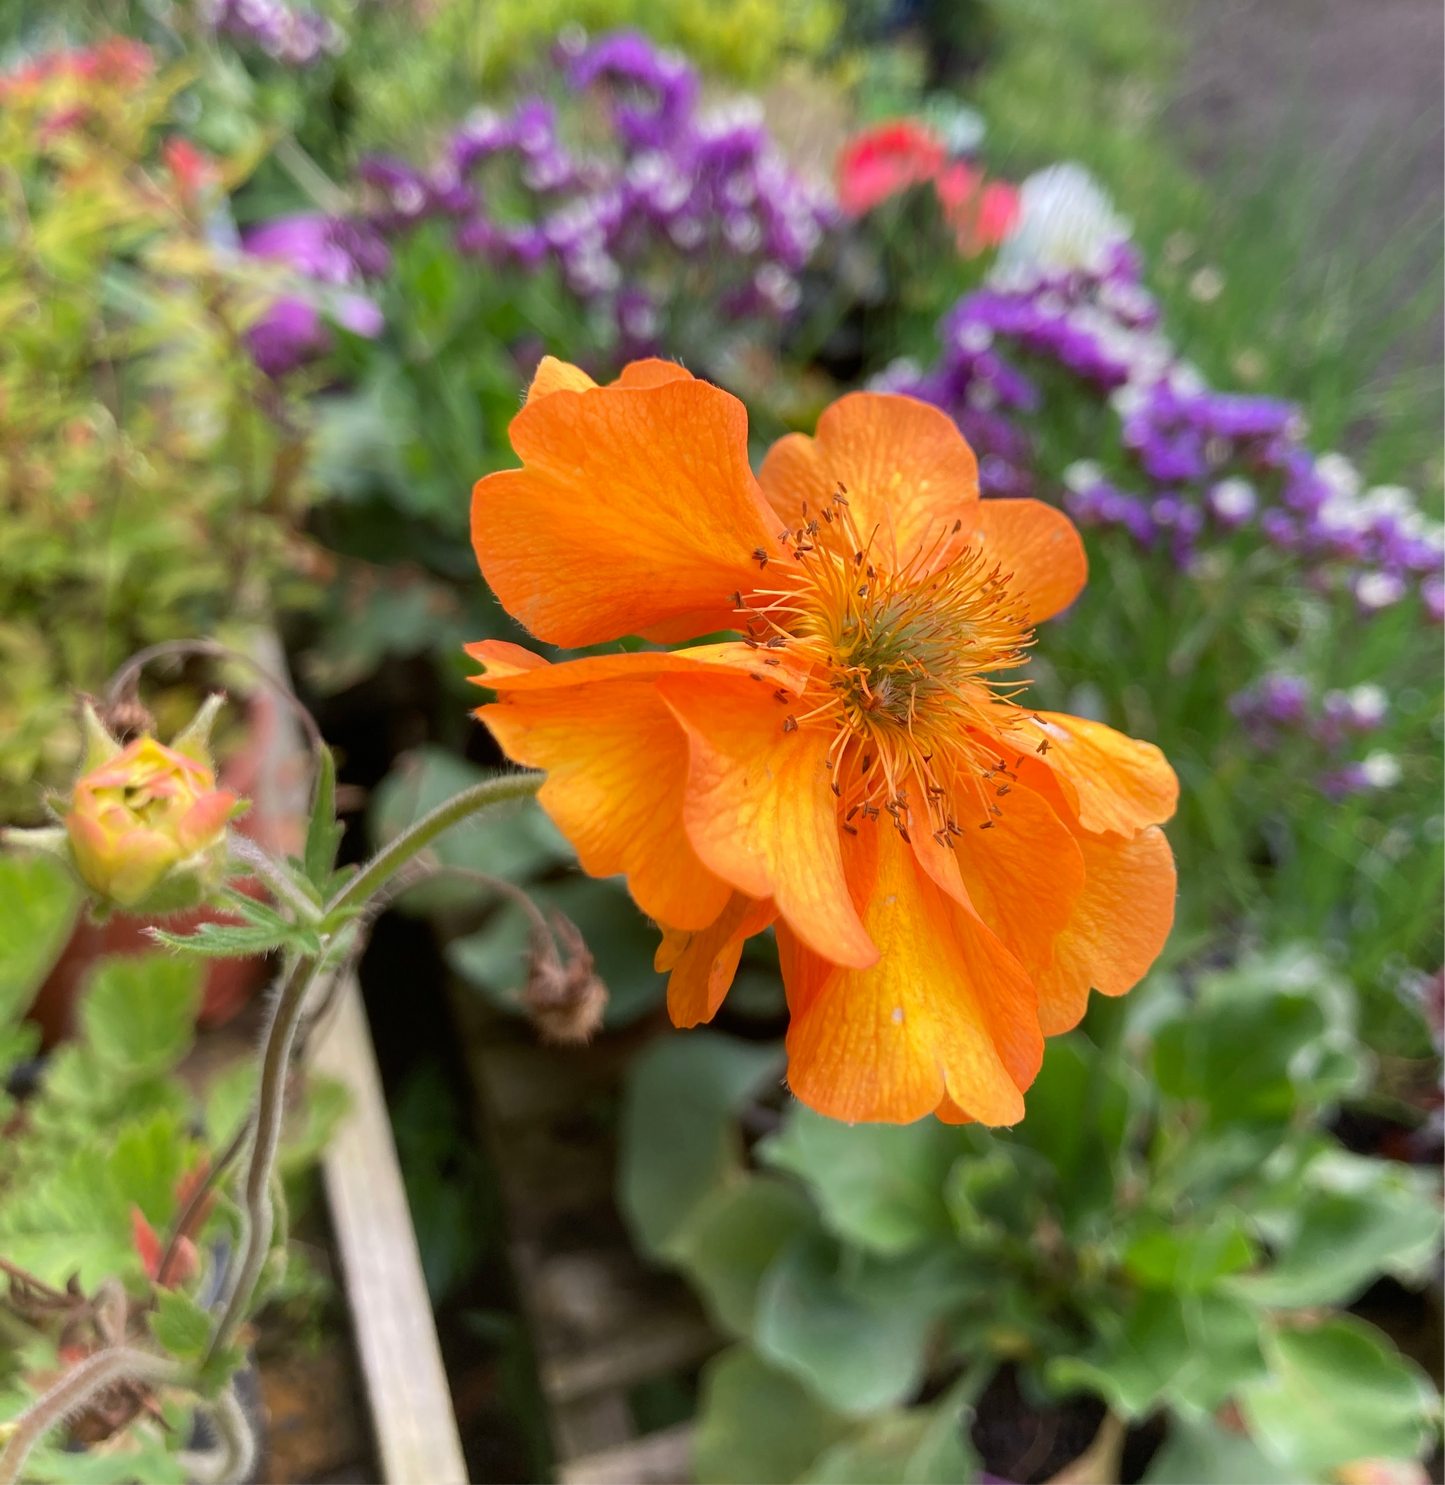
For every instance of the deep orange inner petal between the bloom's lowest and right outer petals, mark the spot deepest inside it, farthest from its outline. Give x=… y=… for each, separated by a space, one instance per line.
x=1024 y=877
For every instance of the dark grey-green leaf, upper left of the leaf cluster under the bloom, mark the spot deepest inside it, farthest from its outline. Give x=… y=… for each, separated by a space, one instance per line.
x=679 y=1143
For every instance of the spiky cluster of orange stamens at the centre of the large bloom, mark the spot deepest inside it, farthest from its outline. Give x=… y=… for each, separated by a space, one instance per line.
x=905 y=665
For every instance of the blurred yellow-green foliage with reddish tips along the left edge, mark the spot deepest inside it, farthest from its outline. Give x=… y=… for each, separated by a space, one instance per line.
x=148 y=470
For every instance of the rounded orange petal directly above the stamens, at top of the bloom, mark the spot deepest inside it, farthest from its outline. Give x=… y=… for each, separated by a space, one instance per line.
x=908 y=471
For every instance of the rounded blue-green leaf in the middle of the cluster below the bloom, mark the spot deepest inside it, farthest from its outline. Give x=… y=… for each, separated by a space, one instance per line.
x=856 y=1328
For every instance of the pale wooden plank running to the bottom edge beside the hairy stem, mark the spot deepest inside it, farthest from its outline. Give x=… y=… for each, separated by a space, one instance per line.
x=417 y=1434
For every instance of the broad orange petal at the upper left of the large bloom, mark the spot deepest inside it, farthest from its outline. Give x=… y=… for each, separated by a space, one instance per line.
x=636 y=509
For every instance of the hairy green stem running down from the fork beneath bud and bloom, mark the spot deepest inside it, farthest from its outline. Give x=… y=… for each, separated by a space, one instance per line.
x=265 y=1138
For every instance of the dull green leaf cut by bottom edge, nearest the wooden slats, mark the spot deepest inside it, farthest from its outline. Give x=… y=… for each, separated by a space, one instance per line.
x=757 y=1425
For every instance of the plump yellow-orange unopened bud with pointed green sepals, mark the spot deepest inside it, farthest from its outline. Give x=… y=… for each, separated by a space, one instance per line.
x=146 y=823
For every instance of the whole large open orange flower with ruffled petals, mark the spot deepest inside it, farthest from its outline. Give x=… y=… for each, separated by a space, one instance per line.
x=948 y=871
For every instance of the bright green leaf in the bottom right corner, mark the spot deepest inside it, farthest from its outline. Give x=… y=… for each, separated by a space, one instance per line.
x=1339 y=1392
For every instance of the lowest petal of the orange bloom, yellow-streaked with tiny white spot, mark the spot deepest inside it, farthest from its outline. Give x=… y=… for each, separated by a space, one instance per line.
x=945 y=1015
